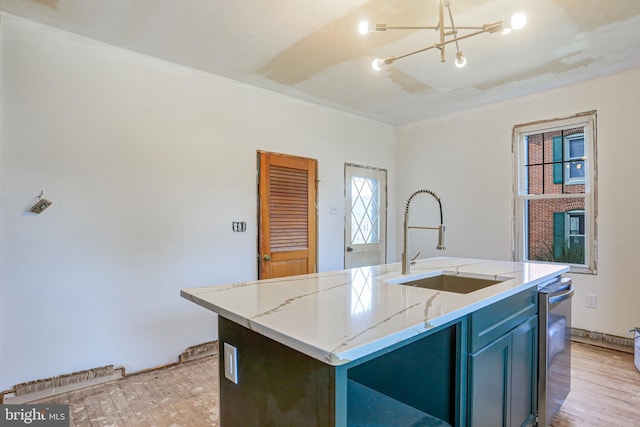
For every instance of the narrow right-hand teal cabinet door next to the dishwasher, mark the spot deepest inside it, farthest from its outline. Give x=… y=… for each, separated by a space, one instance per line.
x=523 y=370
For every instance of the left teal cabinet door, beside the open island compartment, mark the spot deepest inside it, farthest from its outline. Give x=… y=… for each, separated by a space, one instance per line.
x=490 y=384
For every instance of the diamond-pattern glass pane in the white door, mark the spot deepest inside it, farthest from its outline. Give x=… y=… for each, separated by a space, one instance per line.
x=365 y=210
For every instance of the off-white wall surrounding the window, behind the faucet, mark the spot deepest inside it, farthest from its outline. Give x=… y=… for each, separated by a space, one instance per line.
x=466 y=157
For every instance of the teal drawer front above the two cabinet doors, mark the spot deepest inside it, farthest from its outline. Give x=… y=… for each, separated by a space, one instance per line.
x=490 y=323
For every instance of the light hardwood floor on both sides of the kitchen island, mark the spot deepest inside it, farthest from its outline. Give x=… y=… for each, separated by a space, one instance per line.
x=605 y=392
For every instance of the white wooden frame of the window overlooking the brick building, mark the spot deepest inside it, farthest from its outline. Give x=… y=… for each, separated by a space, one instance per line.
x=520 y=220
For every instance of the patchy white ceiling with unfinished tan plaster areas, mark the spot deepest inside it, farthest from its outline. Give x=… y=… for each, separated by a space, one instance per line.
x=311 y=50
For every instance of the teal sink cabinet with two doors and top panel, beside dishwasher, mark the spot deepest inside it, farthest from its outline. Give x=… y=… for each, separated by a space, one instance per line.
x=502 y=363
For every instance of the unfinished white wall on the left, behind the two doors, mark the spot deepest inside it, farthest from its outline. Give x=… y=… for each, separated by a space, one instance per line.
x=147 y=164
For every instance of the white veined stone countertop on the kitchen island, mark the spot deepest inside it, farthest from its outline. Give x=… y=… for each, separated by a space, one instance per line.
x=340 y=316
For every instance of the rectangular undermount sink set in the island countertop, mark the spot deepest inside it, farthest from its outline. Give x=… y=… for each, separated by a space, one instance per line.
x=450 y=282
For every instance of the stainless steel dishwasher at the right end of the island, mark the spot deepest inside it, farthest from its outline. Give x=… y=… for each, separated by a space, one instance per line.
x=554 y=352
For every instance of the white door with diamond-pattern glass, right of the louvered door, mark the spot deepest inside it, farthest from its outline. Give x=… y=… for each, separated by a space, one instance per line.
x=365 y=216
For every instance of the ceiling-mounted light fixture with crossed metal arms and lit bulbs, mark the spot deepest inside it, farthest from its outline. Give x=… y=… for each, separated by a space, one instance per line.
x=448 y=34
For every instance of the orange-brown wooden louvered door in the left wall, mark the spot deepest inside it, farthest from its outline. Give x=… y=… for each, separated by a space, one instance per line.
x=287 y=221
